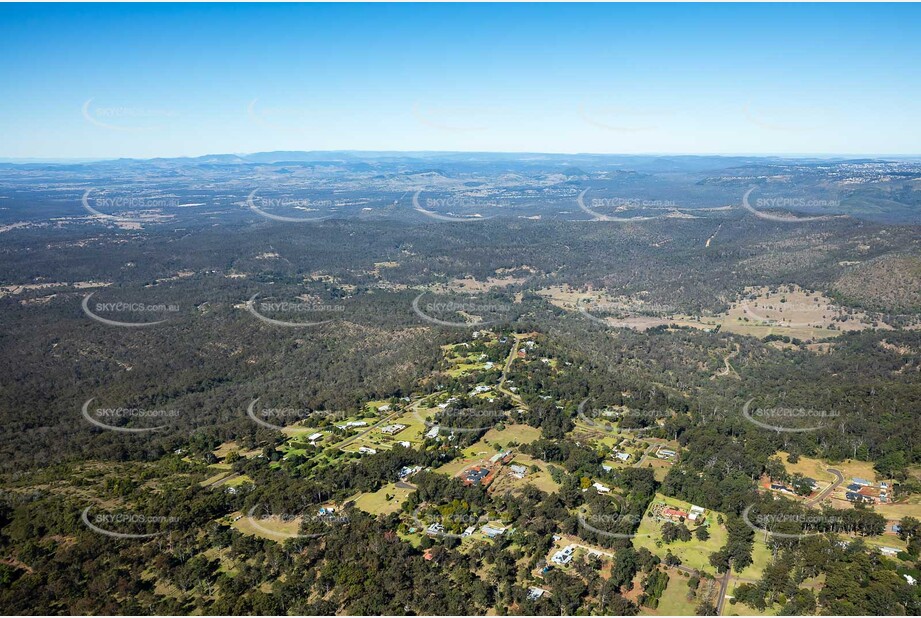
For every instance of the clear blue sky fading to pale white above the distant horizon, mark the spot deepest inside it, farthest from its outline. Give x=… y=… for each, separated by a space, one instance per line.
x=173 y=80
